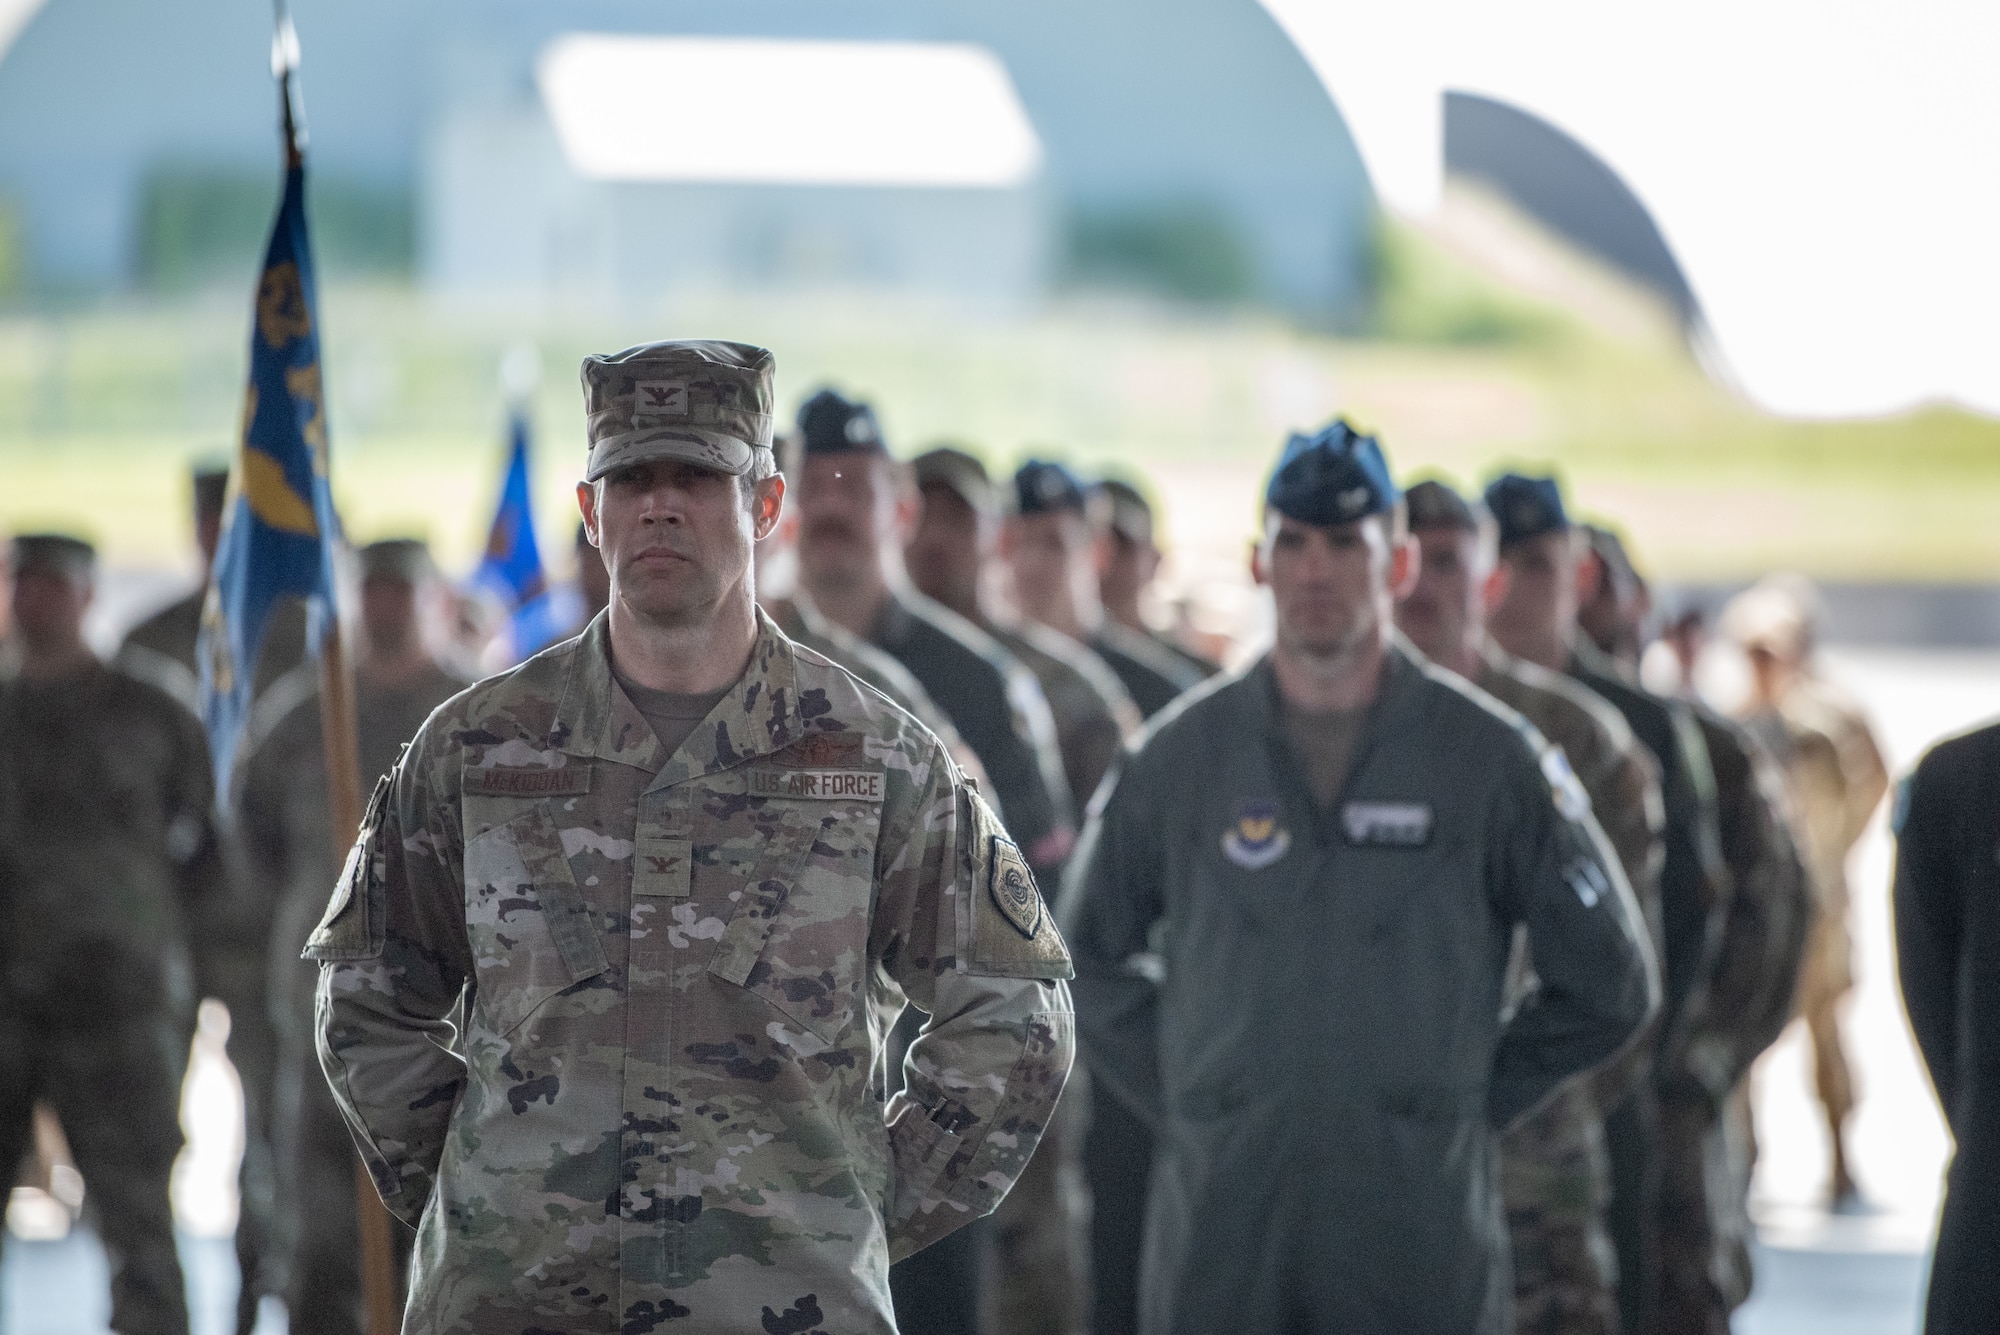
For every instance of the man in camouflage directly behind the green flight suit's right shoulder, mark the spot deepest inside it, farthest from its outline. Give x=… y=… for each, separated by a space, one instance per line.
x=1555 y=1174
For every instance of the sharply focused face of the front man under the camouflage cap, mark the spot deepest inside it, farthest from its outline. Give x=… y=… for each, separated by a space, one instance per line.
x=677 y=537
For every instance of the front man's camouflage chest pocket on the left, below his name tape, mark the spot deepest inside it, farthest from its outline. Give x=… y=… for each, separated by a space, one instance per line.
x=527 y=918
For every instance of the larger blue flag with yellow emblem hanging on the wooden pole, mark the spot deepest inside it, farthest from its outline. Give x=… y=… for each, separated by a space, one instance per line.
x=279 y=521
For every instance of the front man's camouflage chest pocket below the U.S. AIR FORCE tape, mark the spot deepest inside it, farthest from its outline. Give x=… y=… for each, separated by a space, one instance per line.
x=799 y=934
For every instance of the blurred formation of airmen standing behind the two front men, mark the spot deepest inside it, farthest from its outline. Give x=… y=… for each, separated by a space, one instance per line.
x=1625 y=1194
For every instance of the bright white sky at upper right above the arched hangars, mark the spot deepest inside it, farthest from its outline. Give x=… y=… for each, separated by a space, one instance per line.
x=1827 y=173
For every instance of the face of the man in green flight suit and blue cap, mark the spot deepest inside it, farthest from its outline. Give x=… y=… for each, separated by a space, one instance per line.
x=1333 y=587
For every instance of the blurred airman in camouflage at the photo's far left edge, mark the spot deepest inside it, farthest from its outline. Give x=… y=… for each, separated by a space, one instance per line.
x=111 y=866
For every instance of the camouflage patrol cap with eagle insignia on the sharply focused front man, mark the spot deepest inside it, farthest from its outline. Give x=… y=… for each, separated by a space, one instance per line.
x=705 y=403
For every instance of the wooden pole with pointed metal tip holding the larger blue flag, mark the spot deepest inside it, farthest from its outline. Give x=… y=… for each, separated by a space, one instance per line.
x=341 y=744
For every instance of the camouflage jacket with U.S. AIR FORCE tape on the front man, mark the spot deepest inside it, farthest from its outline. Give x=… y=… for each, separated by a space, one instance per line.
x=679 y=972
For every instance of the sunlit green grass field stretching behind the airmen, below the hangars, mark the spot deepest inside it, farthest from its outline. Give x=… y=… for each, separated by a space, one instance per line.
x=103 y=409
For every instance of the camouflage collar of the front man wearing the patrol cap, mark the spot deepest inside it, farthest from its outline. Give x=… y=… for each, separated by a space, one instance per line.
x=757 y=716
